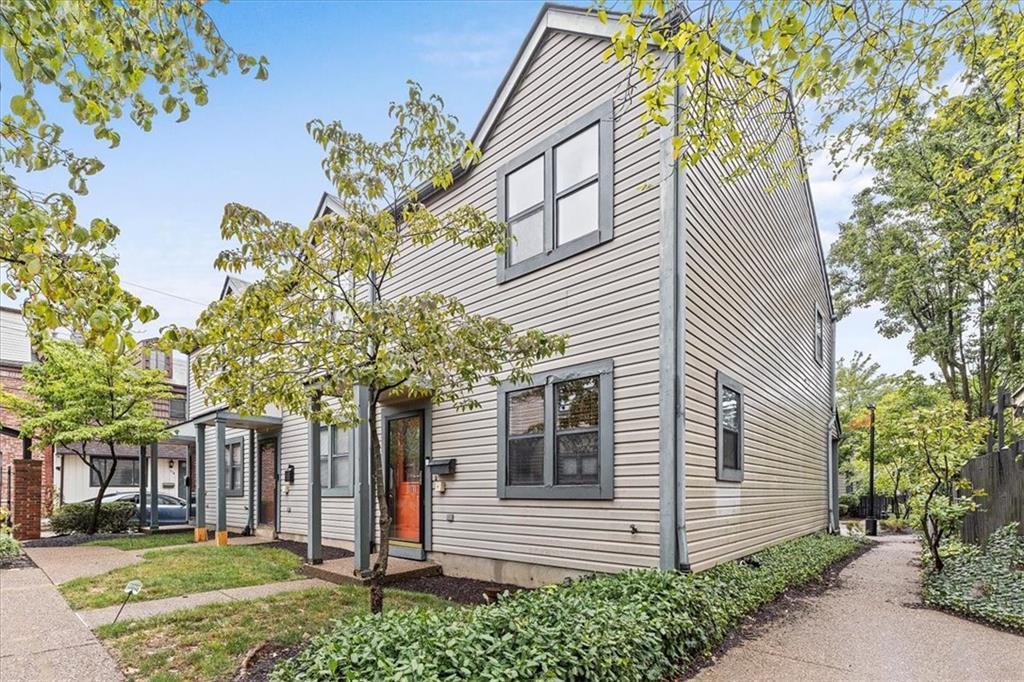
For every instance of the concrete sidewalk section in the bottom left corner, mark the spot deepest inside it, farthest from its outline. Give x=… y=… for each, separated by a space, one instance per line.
x=42 y=638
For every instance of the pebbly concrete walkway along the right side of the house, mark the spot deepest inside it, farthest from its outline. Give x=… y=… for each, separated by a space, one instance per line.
x=871 y=627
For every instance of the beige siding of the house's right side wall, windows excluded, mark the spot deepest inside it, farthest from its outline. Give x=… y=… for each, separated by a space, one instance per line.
x=753 y=281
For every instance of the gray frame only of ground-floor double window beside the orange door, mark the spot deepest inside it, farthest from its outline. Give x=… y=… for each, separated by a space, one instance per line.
x=549 y=490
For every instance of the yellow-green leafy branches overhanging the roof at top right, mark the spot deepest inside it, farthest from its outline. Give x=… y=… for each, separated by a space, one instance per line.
x=863 y=70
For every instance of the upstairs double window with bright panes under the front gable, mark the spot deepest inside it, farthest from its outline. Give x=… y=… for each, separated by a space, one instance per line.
x=558 y=198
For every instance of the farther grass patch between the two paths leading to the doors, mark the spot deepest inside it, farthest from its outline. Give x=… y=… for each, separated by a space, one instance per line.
x=185 y=571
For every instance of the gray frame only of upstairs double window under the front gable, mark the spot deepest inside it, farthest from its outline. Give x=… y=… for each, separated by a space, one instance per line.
x=604 y=117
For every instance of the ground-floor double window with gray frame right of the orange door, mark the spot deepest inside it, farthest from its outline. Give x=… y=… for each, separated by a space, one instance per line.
x=556 y=435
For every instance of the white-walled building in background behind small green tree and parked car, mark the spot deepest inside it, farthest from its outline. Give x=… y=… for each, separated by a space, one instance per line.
x=77 y=482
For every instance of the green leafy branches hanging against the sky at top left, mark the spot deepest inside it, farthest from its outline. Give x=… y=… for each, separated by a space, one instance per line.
x=103 y=60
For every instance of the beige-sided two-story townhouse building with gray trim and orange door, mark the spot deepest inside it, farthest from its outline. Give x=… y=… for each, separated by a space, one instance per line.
x=691 y=420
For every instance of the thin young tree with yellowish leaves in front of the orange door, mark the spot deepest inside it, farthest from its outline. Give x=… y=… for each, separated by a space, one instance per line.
x=322 y=320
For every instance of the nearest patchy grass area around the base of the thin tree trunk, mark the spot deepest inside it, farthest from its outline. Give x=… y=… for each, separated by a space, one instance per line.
x=210 y=643
